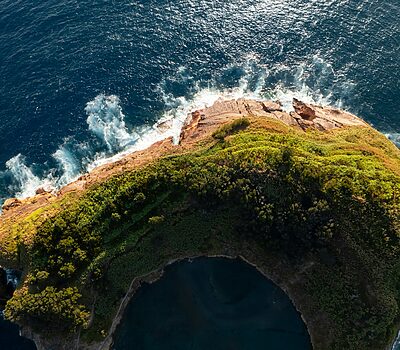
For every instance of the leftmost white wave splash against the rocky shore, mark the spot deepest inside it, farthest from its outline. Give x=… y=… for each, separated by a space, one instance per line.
x=27 y=182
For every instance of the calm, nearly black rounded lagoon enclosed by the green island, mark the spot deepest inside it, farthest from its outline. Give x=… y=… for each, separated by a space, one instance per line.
x=212 y=304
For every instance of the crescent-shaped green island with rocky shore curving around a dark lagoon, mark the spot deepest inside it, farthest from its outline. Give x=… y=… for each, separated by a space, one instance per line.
x=310 y=200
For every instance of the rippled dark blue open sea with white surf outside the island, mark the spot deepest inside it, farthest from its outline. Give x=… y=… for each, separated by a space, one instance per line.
x=81 y=80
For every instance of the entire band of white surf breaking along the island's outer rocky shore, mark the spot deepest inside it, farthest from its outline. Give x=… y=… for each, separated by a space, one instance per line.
x=312 y=82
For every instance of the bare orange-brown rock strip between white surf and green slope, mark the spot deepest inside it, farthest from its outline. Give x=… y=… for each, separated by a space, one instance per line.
x=200 y=125
